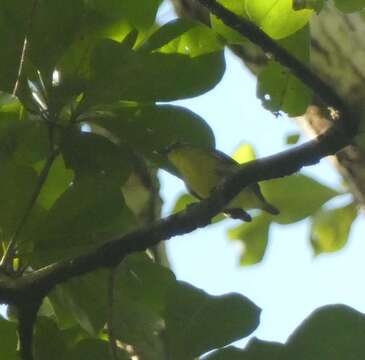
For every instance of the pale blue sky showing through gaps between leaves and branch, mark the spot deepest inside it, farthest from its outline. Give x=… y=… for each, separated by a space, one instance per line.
x=290 y=283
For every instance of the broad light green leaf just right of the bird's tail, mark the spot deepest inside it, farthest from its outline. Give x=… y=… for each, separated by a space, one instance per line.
x=296 y=196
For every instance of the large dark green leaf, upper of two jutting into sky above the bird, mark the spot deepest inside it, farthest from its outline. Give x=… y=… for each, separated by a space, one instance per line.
x=119 y=73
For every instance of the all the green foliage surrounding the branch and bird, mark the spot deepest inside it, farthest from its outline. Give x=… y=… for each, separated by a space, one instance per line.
x=83 y=126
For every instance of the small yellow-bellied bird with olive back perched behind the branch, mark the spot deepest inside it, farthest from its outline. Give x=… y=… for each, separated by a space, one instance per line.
x=202 y=169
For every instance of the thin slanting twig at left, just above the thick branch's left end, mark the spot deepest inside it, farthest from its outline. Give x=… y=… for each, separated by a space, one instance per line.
x=9 y=252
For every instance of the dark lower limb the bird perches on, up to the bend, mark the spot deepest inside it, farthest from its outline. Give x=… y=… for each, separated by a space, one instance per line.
x=194 y=217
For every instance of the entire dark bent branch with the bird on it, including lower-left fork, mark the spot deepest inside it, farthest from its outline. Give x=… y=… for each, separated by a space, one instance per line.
x=36 y=285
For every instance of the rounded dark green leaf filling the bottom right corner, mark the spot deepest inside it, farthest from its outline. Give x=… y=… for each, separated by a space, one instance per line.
x=336 y=332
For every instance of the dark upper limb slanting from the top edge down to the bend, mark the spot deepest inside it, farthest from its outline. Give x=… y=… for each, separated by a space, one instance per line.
x=252 y=32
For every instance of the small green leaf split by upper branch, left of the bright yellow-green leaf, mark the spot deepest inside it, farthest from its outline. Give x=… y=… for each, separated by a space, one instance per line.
x=232 y=36
